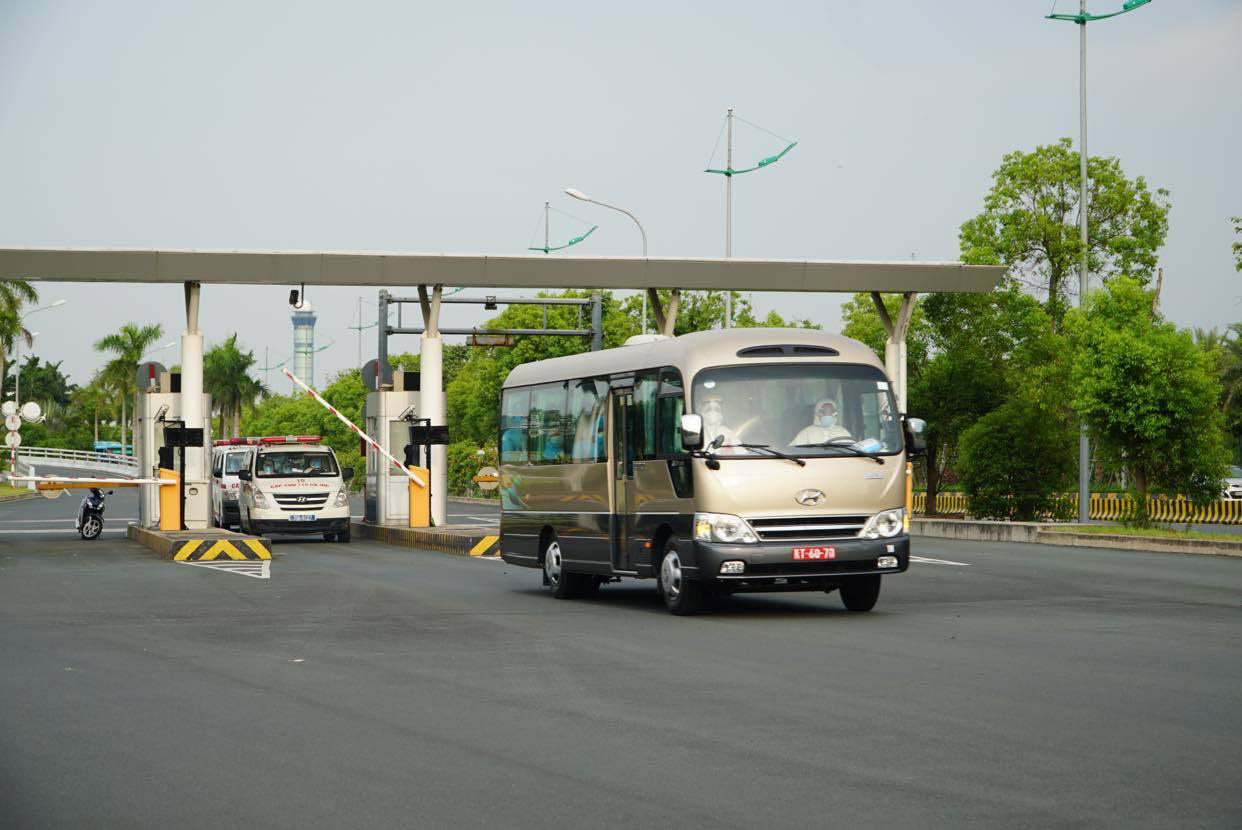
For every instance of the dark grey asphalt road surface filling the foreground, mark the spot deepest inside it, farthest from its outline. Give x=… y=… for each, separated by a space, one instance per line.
x=1025 y=686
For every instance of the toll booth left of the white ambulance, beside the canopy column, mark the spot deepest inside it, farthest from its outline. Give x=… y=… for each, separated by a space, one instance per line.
x=160 y=407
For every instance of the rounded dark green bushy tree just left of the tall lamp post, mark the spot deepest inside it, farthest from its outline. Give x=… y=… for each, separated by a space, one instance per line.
x=1018 y=460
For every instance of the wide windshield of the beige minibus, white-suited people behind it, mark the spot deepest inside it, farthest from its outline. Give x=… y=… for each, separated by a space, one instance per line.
x=803 y=409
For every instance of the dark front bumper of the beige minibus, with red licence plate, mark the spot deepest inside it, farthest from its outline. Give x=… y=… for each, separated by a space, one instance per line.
x=771 y=566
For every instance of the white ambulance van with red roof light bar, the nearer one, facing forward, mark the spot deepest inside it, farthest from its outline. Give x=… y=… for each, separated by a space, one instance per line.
x=294 y=485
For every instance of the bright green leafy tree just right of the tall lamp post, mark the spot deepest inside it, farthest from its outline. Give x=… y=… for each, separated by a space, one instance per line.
x=1148 y=396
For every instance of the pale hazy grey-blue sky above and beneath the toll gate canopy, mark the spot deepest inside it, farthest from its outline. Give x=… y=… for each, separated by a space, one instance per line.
x=444 y=127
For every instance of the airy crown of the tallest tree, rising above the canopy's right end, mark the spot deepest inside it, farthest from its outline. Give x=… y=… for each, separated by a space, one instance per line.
x=1030 y=223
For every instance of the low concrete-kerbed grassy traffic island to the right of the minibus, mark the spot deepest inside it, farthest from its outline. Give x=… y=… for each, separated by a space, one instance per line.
x=1063 y=534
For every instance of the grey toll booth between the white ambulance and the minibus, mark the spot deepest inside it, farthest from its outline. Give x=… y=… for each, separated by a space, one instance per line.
x=389 y=414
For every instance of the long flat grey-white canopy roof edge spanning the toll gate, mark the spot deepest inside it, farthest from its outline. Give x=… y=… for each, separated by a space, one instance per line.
x=487 y=271
